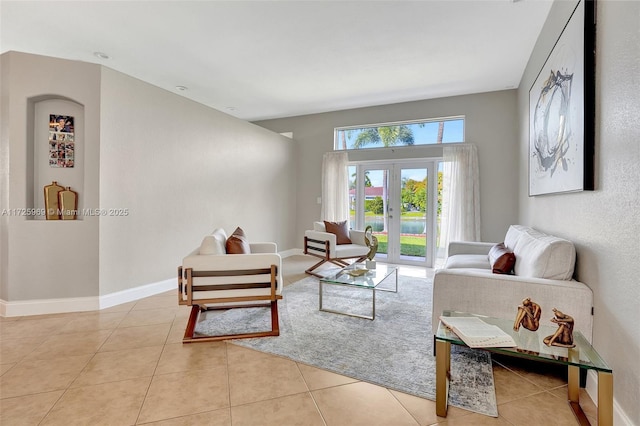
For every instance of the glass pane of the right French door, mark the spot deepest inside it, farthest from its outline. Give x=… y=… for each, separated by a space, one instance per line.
x=413 y=218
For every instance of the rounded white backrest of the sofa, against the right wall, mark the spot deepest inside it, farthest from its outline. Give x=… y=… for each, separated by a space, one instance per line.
x=540 y=255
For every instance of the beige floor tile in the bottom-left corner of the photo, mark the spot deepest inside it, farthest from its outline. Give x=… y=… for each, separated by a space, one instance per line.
x=27 y=410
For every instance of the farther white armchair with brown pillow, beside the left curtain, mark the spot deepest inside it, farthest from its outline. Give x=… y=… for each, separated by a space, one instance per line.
x=324 y=245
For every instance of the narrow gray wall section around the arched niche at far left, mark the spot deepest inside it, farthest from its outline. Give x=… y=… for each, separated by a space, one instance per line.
x=46 y=259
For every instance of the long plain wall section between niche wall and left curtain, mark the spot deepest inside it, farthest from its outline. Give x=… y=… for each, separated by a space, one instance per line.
x=182 y=169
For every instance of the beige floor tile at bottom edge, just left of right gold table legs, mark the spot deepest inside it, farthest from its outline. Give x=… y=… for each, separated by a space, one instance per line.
x=538 y=409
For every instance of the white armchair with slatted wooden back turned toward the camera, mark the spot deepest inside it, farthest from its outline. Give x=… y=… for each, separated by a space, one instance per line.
x=209 y=278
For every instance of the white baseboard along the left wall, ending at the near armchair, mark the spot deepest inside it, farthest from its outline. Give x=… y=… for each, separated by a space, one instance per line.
x=81 y=304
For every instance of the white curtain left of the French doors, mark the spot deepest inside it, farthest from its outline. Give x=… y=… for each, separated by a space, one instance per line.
x=335 y=186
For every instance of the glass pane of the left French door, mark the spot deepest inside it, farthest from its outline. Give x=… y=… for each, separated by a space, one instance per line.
x=376 y=201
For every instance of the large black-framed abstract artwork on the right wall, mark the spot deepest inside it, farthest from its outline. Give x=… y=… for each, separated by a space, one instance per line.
x=562 y=110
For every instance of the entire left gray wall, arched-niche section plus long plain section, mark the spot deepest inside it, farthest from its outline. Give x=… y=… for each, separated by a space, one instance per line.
x=180 y=168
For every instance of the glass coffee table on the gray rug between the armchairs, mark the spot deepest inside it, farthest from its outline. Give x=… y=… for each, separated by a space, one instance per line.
x=355 y=275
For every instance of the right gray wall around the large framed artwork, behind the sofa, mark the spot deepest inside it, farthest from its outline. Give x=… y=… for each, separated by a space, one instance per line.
x=605 y=223
